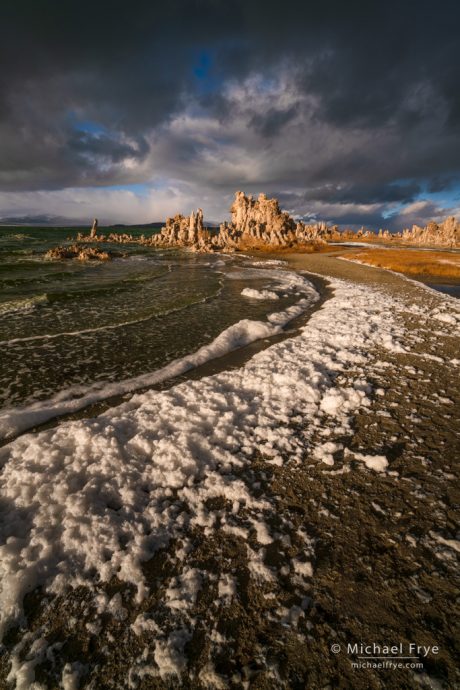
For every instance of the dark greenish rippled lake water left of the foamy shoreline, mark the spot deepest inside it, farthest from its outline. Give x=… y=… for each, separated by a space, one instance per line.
x=67 y=326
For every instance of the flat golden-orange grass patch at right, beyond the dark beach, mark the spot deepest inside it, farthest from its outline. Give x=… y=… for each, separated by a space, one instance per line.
x=413 y=262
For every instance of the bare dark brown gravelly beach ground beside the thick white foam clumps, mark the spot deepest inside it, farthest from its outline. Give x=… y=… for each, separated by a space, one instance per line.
x=380 y=573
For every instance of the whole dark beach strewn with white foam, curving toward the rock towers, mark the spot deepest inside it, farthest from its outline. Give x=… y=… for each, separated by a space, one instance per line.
x=229 y=531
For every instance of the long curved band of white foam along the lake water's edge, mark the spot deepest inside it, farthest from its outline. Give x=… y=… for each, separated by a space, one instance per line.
x=14 y=421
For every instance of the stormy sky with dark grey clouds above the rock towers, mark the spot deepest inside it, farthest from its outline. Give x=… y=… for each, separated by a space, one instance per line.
x=347 y=112
